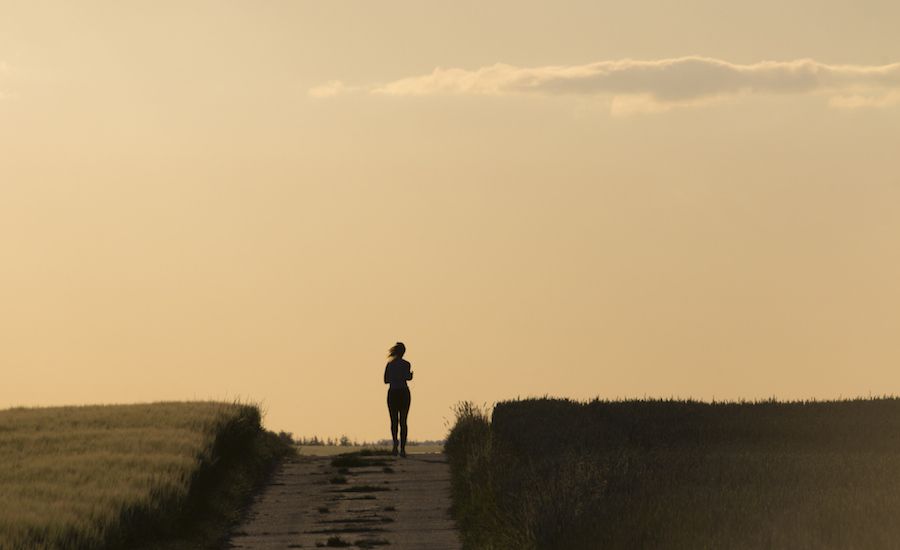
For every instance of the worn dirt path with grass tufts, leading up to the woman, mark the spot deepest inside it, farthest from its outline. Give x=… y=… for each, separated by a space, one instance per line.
x=368 y=502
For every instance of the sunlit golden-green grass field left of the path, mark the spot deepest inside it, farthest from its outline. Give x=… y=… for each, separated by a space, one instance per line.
x=157 y=475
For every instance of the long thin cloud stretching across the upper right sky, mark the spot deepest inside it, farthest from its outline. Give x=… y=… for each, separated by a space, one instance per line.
x=650 y=86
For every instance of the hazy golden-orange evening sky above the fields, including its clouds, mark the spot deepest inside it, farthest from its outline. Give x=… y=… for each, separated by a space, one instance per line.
x=255 y=200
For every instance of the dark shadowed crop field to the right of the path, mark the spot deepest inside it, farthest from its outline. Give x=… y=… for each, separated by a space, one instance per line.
x=547 y=473
